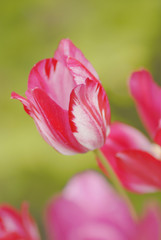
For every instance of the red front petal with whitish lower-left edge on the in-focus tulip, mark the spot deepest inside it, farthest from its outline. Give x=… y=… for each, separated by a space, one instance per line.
x=53 y=124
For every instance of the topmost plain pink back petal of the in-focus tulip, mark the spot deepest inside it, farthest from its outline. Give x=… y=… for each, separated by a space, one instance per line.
x=67 y=49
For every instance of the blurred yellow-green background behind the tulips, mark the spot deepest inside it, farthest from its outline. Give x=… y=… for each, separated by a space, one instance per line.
x=117 y=36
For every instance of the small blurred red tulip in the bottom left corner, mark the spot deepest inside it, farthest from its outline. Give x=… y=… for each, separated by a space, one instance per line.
x=16 y=225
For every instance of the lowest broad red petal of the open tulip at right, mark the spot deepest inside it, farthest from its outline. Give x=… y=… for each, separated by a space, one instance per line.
x=139 y=171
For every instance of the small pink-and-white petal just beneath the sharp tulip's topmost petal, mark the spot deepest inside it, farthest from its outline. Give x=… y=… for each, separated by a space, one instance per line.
x=79 y=72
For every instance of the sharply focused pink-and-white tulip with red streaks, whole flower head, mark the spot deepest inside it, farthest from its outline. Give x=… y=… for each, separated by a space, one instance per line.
x=67 y=101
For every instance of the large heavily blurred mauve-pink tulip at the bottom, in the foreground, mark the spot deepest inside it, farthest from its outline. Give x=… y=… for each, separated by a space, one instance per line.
x=89 y=209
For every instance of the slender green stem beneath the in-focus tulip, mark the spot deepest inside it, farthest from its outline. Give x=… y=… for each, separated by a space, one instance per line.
x=115 y=180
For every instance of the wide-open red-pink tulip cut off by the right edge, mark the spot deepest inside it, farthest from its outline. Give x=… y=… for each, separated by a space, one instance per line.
x=133 y=157
